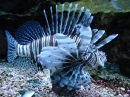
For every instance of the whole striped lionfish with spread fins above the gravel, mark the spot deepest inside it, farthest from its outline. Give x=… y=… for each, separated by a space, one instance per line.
x=66 y=45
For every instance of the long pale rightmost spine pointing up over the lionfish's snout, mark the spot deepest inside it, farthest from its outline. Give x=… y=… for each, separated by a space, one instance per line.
x=106 y=40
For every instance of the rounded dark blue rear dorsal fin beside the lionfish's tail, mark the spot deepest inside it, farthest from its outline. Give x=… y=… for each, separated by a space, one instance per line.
x=28 y=32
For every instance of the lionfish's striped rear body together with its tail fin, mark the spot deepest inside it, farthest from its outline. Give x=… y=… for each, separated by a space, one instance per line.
x=31 y=49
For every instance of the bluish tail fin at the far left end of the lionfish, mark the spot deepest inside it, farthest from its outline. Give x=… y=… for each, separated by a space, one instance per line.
x=11 y=47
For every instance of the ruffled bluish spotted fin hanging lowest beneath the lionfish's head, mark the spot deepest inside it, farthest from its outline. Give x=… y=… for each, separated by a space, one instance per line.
x=73 y=79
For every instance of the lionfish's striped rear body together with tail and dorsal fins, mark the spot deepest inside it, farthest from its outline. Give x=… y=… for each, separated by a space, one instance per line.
x=31 y=35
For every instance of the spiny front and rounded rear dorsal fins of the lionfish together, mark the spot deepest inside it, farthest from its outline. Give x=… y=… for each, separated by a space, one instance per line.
x=65 y=24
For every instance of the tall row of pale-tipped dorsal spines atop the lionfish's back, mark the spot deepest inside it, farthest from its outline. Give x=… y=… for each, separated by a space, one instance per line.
x=65 y=23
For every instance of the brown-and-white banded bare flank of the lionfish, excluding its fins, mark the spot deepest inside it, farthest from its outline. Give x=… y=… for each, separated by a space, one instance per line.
x=34 y=48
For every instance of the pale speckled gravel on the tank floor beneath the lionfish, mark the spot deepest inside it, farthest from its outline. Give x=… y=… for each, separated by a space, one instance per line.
x=16 y=80
